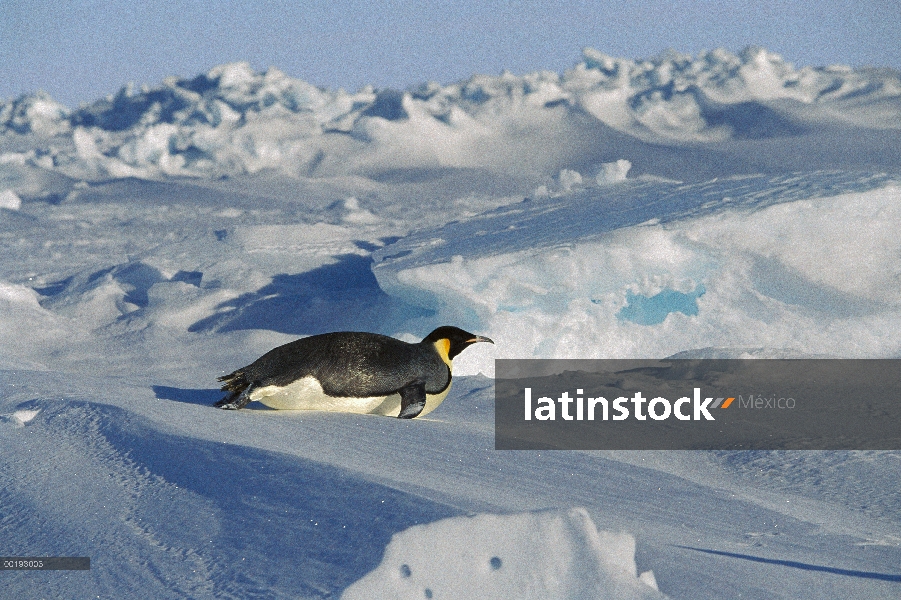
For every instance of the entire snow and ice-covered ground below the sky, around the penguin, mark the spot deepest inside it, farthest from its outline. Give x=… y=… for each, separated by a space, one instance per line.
x=716 y=205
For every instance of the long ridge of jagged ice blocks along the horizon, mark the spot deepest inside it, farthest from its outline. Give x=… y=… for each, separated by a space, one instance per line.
x=233 y=120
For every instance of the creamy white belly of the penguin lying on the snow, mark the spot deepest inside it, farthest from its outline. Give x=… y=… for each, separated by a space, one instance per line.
x=307 y=394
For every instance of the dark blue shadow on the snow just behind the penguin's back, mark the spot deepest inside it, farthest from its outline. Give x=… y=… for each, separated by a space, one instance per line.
x=342 y=296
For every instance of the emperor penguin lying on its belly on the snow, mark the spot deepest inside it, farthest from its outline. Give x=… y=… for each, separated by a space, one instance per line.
x=351 y=371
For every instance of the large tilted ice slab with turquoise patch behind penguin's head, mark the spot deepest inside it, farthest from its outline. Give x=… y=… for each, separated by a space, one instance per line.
x=646 y=270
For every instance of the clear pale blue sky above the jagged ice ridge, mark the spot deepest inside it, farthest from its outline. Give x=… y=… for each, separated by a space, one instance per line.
x=82 y=50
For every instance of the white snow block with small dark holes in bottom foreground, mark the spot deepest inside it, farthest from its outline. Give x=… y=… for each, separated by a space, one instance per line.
x=542 y=555
